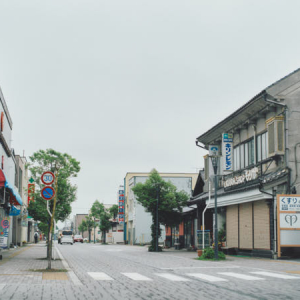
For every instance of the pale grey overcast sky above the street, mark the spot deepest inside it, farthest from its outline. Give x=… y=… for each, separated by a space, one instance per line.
x=128 y=85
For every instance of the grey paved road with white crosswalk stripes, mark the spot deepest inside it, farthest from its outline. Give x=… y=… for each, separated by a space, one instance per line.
x=131 y=272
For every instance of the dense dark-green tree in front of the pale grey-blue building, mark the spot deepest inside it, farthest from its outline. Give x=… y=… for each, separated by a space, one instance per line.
x=161 y=199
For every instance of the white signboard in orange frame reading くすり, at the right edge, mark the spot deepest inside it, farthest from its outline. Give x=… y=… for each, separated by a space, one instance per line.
x=288 y=221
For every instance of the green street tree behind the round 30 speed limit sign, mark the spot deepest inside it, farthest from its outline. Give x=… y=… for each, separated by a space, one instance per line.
x=64 y=167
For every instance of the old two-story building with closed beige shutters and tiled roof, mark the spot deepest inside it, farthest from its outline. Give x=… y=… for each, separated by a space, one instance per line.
x=260 y=156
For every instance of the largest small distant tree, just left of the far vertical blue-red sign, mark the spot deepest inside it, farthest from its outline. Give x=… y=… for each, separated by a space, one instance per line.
x=100 y=212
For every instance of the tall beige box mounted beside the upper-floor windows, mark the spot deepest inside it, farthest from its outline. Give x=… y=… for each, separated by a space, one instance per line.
x=275 y=127
